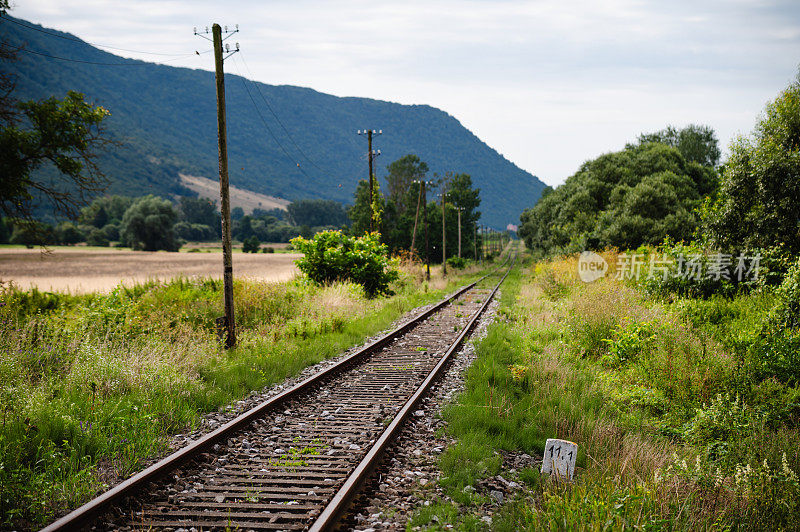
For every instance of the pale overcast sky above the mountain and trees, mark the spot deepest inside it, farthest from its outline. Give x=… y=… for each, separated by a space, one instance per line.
x=547 y=84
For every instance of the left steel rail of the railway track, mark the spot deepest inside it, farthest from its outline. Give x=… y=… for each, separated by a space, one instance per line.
x=86 y=513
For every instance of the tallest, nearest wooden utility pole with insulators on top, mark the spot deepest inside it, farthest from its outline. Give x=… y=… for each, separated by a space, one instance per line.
x=225 y=206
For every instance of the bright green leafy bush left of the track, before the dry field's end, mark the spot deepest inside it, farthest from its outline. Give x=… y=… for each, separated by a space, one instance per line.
x=333 y=256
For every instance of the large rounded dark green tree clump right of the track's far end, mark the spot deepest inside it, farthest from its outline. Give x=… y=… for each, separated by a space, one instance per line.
x=624 y=199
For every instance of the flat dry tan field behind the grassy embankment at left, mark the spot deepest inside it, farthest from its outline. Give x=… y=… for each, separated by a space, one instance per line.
x=82 y=270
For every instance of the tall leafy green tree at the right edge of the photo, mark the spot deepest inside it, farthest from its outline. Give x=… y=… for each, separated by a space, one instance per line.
x=758 y=204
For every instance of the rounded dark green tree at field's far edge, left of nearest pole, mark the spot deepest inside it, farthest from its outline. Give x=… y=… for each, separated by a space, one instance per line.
x=148 y=225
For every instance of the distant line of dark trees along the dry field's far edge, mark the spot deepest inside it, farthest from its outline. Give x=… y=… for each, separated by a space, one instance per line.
x=151 y=223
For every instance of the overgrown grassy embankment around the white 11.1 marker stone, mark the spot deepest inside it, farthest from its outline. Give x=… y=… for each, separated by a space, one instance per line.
x=685 y=411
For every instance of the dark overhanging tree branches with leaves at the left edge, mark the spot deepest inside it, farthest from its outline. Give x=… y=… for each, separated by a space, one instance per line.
x=64 y=134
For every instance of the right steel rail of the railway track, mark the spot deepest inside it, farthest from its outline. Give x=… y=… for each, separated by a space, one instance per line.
x=329 y=517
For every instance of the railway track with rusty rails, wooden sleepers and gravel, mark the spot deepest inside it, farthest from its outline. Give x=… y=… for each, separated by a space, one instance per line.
x=295 y=461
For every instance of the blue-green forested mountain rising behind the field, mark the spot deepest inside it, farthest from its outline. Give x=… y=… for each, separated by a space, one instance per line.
x=166 y=119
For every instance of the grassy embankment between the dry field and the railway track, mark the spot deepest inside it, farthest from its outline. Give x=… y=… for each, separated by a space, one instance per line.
x=93 y=385
